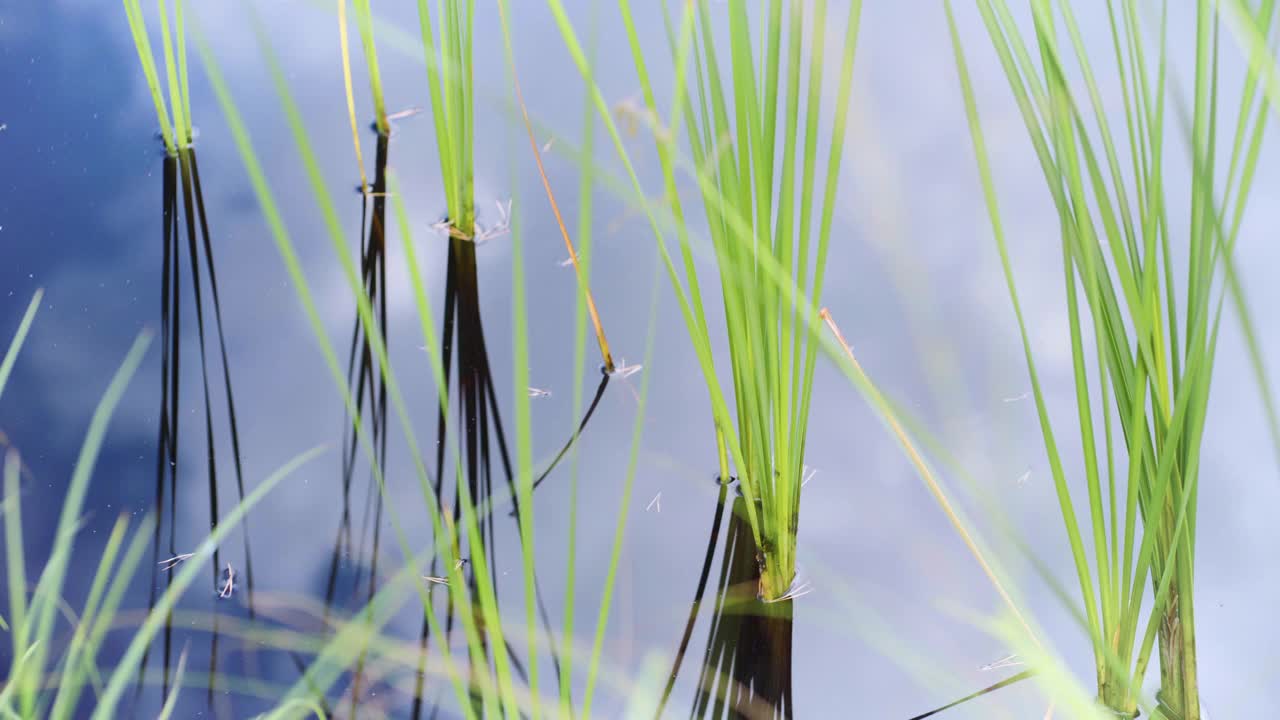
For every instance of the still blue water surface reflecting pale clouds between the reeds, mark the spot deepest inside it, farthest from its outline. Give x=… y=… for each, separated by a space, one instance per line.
x=915 y=282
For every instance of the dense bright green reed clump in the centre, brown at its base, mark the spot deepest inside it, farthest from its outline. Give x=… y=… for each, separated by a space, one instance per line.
x=753 y=133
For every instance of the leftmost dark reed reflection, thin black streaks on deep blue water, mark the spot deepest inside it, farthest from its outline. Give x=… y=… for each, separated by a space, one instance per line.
x=184 y=216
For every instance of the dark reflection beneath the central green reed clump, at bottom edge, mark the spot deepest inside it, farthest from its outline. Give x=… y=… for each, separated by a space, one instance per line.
x=747 y=664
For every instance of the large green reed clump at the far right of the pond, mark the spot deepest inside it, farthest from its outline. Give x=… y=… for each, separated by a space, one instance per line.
x=1145 y=295
